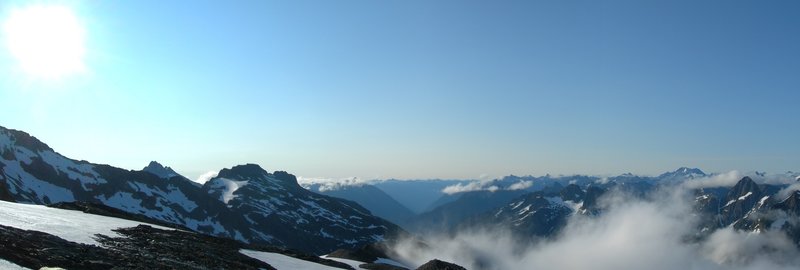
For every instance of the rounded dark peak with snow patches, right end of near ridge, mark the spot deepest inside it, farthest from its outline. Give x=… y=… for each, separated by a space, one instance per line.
x=296 y=217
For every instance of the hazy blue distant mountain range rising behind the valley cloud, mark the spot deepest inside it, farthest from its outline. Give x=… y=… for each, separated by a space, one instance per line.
x=543 y=206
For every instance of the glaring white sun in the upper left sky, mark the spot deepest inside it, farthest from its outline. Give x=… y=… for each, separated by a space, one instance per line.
x=47 y=41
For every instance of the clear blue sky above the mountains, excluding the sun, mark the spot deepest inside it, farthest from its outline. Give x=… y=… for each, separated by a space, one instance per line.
x=423 y=89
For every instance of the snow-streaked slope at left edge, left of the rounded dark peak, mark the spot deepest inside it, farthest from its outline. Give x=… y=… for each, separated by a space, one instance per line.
x=32 y=172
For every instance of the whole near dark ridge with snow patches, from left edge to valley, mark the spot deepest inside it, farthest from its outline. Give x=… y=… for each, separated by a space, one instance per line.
x=244 y=203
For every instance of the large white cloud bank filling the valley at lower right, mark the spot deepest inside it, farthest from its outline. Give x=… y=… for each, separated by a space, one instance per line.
x=631 y=233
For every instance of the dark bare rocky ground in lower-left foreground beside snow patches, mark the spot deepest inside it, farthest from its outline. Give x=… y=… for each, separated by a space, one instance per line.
x=141 y=247
